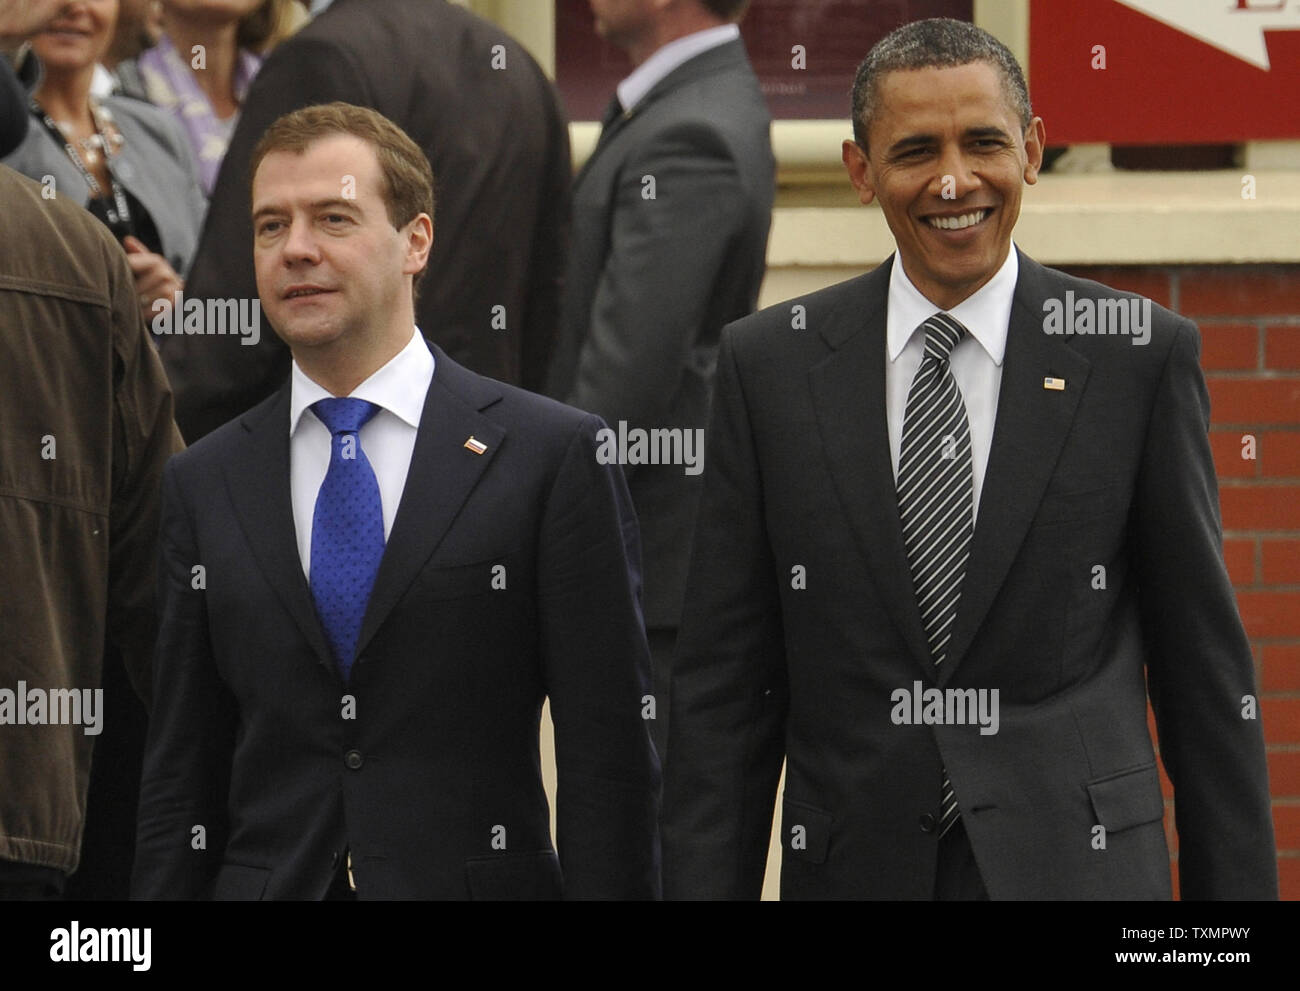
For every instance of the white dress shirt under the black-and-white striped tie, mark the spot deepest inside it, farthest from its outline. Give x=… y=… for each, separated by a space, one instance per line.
x=977 y=362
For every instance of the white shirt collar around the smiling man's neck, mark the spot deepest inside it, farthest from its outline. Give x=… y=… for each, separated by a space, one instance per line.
x=986 y=314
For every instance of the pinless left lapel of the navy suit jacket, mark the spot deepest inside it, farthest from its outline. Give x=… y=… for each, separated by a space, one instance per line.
x=261 y=494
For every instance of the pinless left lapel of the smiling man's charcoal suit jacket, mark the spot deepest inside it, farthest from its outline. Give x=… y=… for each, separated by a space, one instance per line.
x=850 y=401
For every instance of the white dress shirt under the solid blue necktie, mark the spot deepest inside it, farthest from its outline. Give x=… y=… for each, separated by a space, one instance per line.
x=388 y=439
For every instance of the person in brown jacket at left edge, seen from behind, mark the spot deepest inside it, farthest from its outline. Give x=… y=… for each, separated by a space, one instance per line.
x=85 y=431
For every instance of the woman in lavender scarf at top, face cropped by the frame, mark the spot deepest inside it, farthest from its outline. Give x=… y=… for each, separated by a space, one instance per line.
x=202 y=67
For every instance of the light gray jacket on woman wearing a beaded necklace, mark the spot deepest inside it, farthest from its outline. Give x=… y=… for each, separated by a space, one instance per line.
x=155 y=167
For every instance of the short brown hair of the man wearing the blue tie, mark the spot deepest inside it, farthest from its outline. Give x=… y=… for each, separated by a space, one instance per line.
x=408 y=188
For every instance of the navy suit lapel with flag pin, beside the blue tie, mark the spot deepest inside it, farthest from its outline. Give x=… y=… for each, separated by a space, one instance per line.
x=443 y=475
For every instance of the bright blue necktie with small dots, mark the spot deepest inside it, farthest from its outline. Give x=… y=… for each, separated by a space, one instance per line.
x=348 y=530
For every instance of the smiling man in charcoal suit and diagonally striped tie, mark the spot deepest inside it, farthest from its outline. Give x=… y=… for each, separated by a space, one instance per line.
x=942 y=542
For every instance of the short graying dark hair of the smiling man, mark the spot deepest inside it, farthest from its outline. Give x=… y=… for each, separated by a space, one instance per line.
x=939 y=42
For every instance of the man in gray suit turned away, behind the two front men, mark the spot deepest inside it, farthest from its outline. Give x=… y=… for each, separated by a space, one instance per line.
x=669 y=244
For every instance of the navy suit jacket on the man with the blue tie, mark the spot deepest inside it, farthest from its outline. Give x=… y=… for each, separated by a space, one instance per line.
x=434 y=782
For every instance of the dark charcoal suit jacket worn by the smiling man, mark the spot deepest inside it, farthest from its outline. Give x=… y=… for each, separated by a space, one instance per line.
x=1115 y=470
